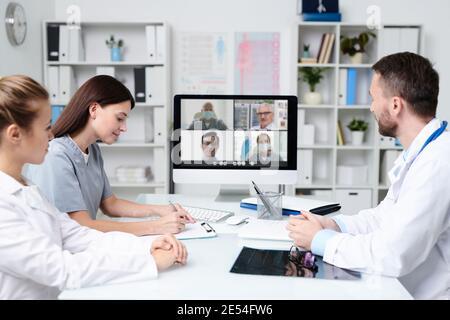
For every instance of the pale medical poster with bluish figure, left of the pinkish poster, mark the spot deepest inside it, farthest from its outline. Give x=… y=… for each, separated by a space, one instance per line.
x=202 y=61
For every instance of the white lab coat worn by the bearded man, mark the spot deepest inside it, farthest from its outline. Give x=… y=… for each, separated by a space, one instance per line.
x=408 y=234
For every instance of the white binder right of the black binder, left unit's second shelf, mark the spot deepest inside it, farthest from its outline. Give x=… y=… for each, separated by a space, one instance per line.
x=154 y=85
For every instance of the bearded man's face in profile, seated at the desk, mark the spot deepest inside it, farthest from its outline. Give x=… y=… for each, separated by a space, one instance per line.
x=380 y=107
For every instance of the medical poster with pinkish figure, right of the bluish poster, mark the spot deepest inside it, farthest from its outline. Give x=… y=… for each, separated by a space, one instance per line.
x=257 y=63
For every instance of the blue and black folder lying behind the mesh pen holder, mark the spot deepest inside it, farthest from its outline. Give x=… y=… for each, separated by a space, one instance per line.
x=293 y=205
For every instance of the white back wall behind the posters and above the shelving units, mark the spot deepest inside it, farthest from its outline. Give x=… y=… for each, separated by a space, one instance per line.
x=267 y=15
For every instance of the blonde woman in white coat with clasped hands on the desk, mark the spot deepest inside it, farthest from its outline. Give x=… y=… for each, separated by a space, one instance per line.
x=42 y=250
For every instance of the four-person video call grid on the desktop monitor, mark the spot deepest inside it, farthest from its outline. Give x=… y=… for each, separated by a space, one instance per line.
x=233 y=133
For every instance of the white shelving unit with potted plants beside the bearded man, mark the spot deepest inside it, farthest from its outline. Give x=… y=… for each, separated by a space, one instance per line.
x=327 y=154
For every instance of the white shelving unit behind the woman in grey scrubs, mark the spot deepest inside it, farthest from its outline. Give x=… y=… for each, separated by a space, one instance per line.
x=137 y=146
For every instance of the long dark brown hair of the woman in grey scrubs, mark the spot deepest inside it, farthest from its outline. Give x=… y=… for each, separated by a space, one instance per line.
x=101 y=89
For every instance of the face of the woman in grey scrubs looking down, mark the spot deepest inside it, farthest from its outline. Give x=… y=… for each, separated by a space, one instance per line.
x=110 y=121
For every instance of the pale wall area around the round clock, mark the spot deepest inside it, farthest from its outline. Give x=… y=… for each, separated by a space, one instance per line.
x=27 y=58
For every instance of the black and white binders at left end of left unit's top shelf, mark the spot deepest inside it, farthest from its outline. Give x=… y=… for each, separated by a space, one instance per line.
x=64 y=43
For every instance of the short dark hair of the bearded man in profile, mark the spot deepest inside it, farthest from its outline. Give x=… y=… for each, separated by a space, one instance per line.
x=411 y=77
